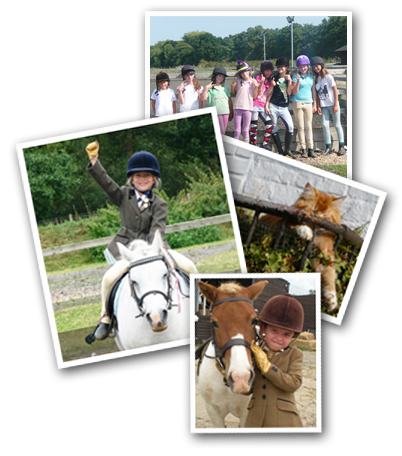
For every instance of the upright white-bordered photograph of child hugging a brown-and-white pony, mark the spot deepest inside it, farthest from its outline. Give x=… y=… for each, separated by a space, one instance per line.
x=255 y=353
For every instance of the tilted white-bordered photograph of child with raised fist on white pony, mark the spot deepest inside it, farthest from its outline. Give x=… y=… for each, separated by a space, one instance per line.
x=120 y=217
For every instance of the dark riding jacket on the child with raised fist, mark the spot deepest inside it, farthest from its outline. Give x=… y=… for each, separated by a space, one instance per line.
x=135 y=224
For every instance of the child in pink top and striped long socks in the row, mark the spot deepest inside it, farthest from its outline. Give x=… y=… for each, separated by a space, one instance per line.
x=265 y=88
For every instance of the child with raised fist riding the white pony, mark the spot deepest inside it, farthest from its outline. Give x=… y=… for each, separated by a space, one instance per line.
x=141 y=213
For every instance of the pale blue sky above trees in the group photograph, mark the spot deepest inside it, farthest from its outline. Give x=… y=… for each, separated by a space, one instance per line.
x=174 y=27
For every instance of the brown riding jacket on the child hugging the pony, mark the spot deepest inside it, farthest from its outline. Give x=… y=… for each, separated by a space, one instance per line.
x=273 y=403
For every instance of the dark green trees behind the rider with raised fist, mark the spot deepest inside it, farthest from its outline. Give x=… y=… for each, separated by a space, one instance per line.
x=60 y=184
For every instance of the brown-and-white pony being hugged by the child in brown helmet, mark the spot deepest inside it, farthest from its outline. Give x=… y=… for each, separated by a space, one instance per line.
x=226 y=372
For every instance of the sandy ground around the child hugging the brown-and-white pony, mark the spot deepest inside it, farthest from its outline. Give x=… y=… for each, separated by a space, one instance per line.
x=305 y=398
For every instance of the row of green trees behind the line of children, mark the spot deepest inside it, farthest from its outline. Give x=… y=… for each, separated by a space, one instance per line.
x=198 y=46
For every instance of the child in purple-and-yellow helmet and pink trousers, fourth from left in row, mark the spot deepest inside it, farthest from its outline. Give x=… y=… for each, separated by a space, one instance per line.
x=245 y=89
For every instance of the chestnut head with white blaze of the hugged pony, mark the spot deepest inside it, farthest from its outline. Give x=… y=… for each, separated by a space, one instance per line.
x=233 y=320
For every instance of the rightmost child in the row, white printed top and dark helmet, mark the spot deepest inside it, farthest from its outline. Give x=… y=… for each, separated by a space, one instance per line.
x=326 y=103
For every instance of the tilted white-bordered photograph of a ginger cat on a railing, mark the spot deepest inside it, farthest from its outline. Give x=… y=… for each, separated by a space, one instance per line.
x=297 y=218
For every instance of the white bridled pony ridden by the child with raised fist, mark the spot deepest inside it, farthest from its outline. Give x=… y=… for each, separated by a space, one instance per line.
x=152 y=302
